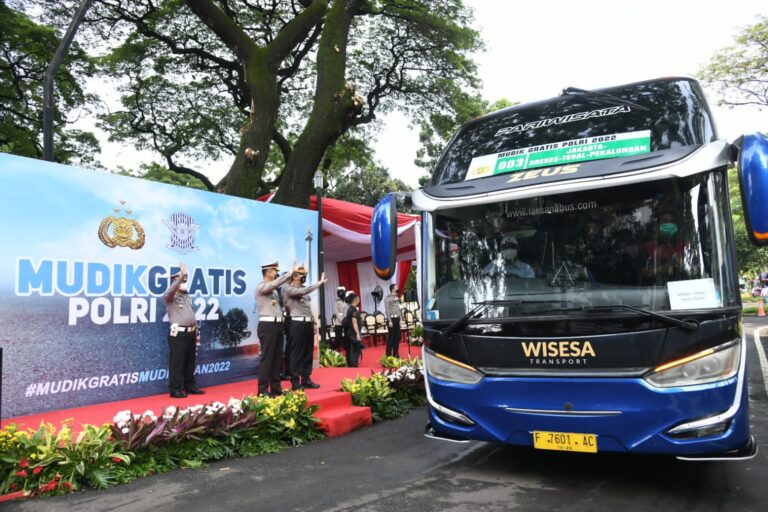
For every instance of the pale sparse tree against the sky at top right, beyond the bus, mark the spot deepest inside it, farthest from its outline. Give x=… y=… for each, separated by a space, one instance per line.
x=739 y=73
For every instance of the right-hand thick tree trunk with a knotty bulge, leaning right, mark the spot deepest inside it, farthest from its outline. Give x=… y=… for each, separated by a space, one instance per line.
x=335 y=106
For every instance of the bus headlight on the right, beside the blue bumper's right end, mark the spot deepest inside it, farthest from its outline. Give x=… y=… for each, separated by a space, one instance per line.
x=711 y=365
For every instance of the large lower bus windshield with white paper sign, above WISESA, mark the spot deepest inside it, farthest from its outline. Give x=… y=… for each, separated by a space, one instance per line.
x=660 y=246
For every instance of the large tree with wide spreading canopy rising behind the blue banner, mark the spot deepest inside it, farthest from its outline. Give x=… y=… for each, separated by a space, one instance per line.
x=263 y=81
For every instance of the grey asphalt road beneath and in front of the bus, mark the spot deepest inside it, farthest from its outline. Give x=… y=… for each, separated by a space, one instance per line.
x=391 y=467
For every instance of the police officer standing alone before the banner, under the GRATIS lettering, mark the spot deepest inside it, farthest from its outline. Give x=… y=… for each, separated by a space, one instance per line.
x=183 y=338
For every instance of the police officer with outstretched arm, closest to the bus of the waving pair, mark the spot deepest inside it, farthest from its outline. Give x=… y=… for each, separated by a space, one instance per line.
x=303 y=328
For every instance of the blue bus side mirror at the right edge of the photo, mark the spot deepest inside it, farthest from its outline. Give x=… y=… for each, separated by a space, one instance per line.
x=753 y=181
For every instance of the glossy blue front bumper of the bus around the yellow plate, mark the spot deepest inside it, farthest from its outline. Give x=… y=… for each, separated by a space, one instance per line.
x=626 y=415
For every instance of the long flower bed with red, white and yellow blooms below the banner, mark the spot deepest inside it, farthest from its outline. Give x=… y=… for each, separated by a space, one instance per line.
x=134 y=445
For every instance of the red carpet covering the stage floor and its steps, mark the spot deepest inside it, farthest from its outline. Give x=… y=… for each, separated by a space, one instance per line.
x=337 y=414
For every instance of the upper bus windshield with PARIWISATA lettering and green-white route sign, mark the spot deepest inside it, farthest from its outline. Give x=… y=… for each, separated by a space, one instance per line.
x=580 y=126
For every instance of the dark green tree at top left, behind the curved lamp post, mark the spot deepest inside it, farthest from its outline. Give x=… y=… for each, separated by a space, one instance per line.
x=25 y=50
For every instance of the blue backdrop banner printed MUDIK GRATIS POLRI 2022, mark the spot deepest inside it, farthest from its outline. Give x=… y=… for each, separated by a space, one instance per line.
x=85 y=259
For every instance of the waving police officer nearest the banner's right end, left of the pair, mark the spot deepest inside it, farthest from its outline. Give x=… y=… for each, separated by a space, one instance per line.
x=270 y=328
